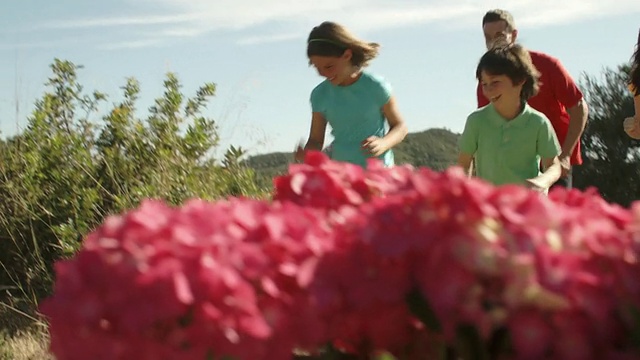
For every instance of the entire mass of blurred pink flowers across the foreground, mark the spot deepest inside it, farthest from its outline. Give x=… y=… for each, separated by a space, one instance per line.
x=397 y=259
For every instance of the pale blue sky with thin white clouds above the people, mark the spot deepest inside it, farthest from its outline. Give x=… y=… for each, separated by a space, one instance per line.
x=254 y=50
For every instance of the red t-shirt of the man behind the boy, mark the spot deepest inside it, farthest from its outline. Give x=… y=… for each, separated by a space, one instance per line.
x=558 y=92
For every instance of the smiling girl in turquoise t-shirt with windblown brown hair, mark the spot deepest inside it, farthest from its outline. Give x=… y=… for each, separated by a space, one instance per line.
x=353 y=101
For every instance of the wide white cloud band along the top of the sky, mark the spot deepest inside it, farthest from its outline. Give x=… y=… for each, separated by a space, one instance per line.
x=290 y=19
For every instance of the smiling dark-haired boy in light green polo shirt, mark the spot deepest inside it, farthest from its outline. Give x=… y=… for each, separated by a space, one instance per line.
x=508 y=138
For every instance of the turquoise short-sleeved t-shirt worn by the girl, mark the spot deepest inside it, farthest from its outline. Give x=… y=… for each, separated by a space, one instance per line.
x=354 y=113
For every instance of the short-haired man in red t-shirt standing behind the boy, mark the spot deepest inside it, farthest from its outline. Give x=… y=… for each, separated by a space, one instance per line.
x=559 y=98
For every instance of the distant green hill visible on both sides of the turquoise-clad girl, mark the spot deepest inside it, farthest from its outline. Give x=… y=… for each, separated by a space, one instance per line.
x=434 y=148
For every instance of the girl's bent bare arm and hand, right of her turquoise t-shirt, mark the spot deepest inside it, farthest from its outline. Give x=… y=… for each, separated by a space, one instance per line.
x=397 y=131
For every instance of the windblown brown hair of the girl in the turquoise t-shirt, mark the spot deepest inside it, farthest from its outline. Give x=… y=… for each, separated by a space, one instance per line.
x=332 y=39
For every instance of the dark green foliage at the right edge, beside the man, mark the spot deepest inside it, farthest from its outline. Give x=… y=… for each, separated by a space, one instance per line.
x=611 y=158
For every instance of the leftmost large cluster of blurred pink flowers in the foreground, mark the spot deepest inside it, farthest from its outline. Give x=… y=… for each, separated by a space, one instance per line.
x=206 y=280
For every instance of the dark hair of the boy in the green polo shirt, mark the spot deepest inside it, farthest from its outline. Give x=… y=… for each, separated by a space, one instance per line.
x=514 y=62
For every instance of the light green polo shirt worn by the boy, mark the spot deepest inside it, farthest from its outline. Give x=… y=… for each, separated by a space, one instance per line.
x=508 y=151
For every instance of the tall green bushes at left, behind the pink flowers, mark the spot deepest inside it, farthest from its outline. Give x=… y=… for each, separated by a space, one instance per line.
x=66 y=171
